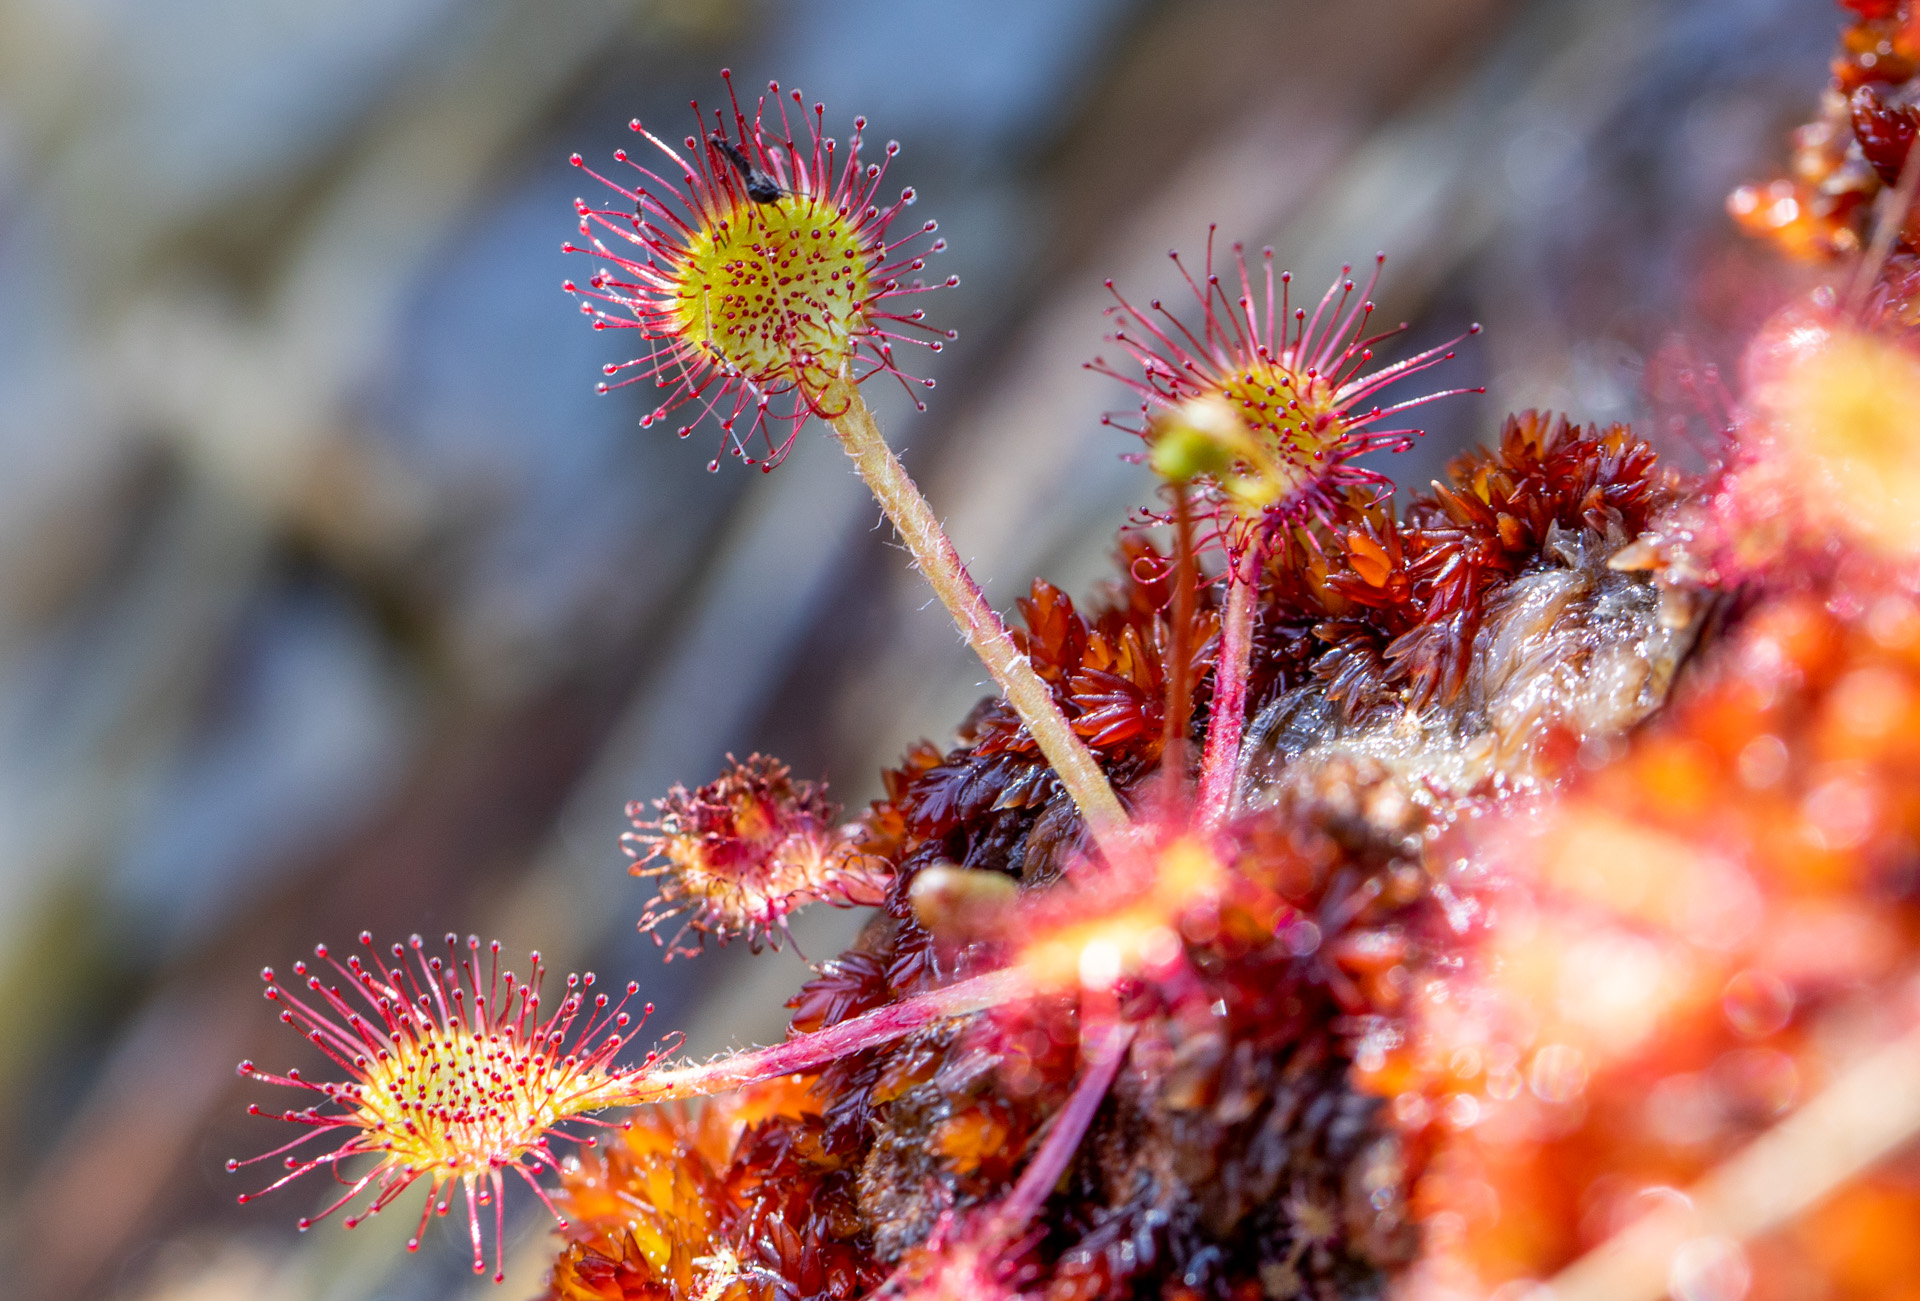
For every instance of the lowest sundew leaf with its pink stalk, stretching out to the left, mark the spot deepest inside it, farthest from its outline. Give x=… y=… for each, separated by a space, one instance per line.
x=456 y=1077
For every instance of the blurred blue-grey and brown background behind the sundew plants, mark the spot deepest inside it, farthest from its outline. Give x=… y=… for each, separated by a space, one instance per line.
x=333 y=596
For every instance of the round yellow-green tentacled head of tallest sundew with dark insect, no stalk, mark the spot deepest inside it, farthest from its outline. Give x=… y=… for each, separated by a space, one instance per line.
x=765 y=281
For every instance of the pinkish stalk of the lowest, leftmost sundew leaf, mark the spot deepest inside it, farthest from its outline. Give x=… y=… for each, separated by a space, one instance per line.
x=811 y=1053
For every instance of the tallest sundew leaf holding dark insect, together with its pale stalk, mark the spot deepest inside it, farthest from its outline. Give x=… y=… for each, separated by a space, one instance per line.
x=769 y=275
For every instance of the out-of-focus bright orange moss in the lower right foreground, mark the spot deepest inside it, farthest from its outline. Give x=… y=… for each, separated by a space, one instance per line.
x=1700 y=932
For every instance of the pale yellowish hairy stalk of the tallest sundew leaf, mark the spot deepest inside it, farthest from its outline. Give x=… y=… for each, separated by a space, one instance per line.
x=1080 y=772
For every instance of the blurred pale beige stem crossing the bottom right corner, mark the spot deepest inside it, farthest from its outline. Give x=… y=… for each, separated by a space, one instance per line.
x=1860 y=1120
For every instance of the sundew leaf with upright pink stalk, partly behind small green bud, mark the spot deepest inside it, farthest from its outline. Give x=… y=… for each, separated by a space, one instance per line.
x=1262 y=414
